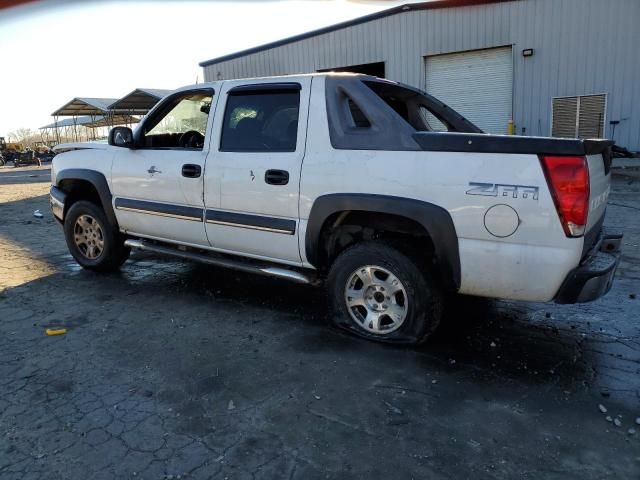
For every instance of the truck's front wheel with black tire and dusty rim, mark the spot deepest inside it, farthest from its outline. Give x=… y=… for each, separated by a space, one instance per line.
x=112 y=254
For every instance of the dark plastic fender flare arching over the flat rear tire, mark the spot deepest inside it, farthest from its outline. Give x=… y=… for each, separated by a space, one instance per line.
x=434 y=219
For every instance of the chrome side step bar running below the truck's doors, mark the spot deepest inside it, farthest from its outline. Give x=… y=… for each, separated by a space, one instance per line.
x=226 y=262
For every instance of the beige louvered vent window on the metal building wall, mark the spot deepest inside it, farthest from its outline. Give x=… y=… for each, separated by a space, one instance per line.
x=578 y=117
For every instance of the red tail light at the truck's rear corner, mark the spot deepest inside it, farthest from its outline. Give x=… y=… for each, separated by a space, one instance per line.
x=568 y=179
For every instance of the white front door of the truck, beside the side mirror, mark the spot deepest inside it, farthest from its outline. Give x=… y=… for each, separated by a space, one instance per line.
x=158 y=186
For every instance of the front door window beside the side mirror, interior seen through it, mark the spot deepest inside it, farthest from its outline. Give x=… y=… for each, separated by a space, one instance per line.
x=181 y=123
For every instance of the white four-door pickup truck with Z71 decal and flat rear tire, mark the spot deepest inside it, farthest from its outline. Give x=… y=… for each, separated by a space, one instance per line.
x=383 y=191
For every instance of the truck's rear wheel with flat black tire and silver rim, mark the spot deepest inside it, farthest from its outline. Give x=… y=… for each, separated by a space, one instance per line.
x=422 y=308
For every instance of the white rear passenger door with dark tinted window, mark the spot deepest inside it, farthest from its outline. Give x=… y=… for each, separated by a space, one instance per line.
x=252 y=179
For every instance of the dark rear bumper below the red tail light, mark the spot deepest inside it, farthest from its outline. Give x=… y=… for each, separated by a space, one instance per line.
x=594 y=276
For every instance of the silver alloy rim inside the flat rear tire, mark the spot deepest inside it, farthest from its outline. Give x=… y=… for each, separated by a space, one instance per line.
x=376 y=299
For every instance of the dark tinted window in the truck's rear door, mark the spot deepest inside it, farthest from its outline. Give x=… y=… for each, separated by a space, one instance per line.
x=261 y=121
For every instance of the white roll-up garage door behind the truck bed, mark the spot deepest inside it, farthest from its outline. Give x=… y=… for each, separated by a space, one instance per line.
x=478 y=84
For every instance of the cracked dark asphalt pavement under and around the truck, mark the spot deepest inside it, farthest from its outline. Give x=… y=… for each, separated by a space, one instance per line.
x=177 y=370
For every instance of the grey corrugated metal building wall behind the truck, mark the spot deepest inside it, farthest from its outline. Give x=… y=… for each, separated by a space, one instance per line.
x=581 y=47
